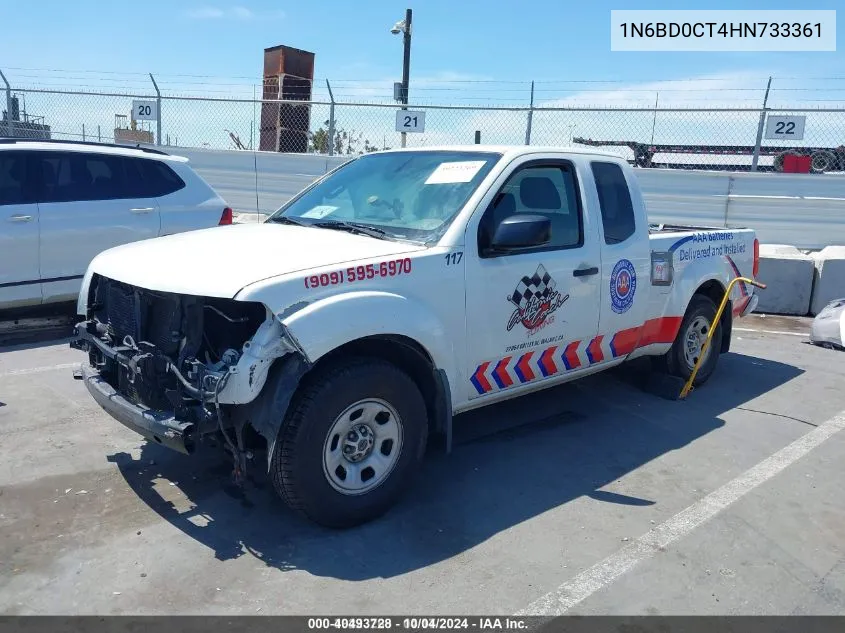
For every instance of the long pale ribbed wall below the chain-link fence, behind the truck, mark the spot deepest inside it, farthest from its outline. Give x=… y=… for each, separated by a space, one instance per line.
x=801 y=209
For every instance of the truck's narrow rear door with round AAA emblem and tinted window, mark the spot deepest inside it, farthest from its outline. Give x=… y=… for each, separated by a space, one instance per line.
x=626 y=260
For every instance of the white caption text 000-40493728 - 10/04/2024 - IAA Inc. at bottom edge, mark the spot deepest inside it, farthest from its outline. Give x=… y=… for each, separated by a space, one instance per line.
x=418 y=623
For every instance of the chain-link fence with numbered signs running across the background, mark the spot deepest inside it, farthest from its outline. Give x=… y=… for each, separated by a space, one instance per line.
x=691 y=138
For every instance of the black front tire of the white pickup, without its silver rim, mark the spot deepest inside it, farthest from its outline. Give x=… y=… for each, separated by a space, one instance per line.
x=297 y=466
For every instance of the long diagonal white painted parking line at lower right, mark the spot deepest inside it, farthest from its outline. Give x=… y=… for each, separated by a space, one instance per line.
x=605 y=572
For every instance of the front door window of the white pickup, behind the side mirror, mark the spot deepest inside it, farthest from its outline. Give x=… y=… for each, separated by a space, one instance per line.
x=548 y=190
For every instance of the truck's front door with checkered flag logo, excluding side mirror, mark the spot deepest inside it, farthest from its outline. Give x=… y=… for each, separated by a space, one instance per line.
x=531 y=313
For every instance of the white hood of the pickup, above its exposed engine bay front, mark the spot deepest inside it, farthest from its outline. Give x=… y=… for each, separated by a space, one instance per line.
x=220 y=261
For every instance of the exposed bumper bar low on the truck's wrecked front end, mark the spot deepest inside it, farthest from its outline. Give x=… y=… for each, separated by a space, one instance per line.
x=158 y=426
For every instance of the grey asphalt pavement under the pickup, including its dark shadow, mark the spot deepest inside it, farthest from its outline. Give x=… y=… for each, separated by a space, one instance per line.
x=595 y=497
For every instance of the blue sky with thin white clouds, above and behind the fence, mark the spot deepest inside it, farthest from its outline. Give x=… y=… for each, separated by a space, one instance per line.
x=469 y=52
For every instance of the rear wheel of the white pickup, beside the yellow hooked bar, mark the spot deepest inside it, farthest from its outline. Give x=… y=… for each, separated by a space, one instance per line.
x=688 y=346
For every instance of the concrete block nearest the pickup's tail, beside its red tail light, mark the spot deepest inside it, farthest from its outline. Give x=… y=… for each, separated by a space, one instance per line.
x=788 y=273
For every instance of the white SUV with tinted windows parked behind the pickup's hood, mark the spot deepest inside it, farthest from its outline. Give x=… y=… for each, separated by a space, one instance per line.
x=62 y=203
